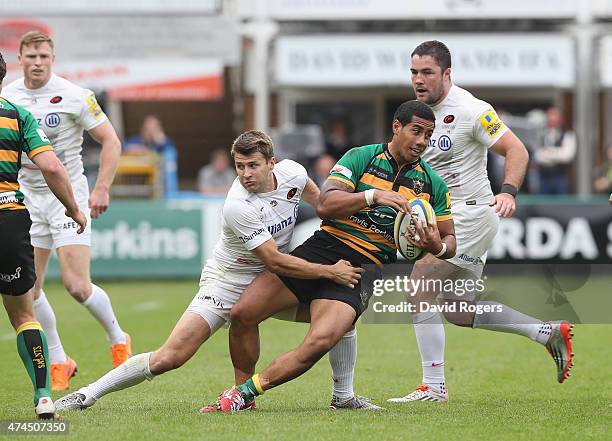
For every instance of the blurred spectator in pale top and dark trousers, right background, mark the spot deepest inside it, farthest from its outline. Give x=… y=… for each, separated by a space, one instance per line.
x=554 y=154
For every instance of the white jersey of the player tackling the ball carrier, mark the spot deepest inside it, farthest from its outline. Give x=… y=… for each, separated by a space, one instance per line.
x=250 y=219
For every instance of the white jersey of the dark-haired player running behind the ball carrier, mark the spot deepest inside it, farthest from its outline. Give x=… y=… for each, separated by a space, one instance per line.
x=465 y=128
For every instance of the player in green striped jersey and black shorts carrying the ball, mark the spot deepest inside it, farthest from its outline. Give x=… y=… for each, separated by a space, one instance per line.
x=365 y=178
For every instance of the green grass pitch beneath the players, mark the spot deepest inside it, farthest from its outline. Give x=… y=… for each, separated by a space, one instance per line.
x=503 y=387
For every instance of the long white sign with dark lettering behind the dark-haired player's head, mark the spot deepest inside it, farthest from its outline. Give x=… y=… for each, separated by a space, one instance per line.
x=531 y=60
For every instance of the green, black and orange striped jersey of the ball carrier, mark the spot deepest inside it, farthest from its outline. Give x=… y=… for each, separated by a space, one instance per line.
x=370 y=231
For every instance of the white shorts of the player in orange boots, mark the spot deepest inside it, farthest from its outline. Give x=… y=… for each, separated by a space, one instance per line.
x=50 y=225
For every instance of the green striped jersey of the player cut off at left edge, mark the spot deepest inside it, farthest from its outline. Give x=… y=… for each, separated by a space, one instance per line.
x=19 y=132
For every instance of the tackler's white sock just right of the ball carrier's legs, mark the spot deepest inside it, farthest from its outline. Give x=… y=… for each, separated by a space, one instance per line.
x=342 y=359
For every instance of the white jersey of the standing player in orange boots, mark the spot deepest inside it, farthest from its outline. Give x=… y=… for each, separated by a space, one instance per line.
x=63 y=110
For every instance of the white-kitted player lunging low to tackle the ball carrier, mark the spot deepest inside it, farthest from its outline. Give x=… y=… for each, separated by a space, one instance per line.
x=257 y=224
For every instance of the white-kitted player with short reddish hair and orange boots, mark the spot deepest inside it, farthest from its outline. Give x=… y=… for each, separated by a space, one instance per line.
x=63 y=111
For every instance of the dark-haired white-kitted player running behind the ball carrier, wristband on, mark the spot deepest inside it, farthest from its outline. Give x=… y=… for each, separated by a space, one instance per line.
x=466 y=128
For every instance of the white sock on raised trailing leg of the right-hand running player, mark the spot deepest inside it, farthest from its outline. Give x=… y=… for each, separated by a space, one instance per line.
x=502 y=318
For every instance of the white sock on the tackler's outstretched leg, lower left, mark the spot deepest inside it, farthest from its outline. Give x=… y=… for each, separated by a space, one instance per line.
x=133 y=371
